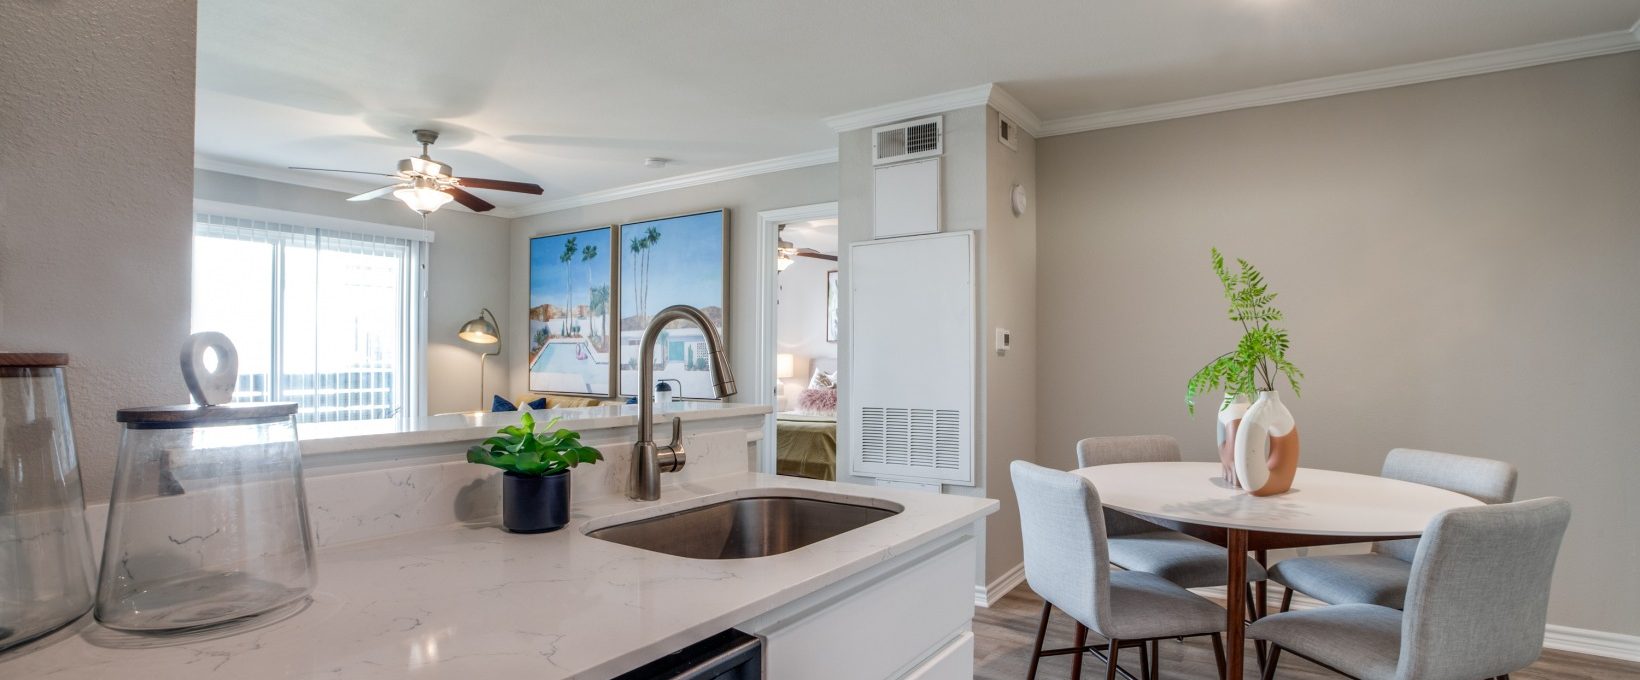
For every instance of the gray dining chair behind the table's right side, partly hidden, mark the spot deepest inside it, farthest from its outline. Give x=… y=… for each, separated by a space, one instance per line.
x=1380 y=578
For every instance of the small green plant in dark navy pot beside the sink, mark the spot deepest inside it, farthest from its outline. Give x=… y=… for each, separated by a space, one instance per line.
x=535 y=481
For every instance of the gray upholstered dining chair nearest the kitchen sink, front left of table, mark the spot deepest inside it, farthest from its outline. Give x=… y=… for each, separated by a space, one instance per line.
x=1067 y=563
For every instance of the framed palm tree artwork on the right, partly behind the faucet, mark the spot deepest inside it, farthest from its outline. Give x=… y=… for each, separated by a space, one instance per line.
x=673 y=261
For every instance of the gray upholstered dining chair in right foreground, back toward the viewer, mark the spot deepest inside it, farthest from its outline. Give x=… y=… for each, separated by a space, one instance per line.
x=1477 y=604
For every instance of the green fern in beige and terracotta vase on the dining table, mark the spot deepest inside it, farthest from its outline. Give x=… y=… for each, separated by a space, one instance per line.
x=1259 y=443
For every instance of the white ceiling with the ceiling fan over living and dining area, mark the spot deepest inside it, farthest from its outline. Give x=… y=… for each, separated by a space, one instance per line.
x=576 y=94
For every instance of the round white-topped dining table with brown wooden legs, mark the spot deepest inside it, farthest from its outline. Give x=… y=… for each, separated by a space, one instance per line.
x=1324 y=509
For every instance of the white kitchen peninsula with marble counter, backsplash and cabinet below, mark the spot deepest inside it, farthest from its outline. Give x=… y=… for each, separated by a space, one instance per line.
x=417 y=581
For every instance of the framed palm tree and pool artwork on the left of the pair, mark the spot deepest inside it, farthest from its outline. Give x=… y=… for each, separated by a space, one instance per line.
x=572 y=304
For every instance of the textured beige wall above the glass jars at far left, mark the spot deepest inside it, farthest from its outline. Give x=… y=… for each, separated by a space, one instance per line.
x=96 y=179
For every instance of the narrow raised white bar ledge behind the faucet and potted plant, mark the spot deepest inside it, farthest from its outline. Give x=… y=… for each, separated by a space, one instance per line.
x=334 y=438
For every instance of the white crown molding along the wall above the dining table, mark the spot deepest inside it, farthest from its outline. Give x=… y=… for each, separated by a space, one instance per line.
x=1395 y=76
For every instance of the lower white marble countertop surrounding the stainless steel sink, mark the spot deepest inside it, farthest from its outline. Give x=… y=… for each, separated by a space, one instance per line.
x=475 y=602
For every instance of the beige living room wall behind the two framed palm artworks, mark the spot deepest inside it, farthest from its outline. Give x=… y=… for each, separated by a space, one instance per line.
x=744 y=199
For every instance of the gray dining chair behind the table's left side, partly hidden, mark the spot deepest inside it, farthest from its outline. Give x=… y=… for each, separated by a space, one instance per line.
x=1141 y=546
